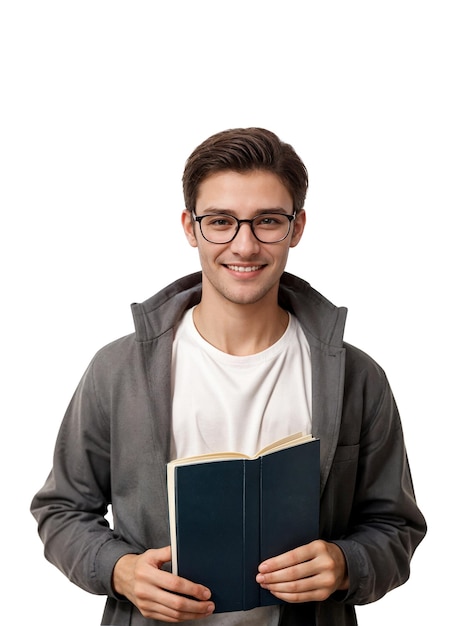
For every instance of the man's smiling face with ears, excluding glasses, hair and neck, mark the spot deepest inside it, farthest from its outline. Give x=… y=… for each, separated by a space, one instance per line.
x=243 y=196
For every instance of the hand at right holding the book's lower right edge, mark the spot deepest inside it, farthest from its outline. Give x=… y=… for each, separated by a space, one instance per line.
x=309 y=573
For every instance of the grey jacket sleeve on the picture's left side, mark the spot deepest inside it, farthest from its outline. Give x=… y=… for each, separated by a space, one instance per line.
x=71 y=506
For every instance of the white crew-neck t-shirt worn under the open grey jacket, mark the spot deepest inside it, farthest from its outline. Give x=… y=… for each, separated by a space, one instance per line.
x=223 y=402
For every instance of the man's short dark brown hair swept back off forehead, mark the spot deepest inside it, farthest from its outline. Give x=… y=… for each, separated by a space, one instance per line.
x=245 y=150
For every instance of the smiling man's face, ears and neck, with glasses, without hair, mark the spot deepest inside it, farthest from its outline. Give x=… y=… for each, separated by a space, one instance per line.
x=247 y=224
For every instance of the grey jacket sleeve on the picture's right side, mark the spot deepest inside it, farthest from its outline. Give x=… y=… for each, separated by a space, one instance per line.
x=384 y=525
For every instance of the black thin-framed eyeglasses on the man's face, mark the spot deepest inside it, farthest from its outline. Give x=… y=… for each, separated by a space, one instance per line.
x=266 y=227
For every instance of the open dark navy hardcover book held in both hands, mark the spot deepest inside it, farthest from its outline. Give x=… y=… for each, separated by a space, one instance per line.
x=228 y=512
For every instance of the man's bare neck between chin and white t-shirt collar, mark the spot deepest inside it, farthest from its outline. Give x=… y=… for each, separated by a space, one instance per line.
x=240 y=330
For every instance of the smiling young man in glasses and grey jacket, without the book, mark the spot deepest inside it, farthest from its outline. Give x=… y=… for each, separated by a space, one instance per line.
x=233 y=357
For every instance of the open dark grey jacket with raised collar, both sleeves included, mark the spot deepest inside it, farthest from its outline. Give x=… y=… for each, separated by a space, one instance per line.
x=113 y=446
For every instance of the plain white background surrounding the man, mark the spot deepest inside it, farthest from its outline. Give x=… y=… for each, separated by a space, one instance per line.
x=101 y=103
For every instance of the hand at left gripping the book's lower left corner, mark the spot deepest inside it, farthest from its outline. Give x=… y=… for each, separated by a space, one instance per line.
x=153 y=591
